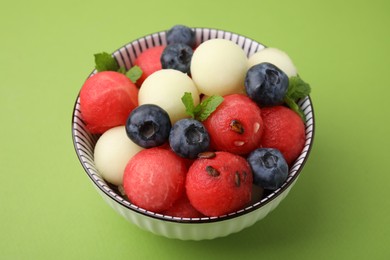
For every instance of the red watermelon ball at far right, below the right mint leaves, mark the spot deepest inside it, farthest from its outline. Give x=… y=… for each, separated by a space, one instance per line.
x=283 y=130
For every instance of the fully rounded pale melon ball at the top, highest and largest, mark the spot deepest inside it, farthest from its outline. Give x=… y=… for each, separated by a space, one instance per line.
x=218 y=67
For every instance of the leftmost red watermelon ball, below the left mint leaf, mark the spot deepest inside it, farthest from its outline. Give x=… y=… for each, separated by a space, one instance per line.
x=106 y=100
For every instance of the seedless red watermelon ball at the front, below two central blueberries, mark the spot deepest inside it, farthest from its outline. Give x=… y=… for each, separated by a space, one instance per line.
x=154 y=179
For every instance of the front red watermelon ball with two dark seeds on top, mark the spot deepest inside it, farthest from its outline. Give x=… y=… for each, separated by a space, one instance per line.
x=219 y=185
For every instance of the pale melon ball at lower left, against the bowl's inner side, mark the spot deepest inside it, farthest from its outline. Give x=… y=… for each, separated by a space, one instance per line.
x=112 y=152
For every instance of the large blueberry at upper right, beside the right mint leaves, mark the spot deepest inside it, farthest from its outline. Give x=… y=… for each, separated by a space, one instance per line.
x=266 y=84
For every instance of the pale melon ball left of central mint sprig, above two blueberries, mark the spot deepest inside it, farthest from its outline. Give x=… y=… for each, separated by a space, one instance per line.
x=165 y=88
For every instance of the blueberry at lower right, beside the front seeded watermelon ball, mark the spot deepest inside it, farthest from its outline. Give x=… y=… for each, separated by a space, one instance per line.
x=269 y=168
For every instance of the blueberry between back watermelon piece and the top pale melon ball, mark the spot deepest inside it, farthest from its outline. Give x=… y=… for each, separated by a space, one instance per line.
x=177 y=56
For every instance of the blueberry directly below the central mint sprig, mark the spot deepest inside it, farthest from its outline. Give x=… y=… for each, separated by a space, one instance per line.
x=188 y=138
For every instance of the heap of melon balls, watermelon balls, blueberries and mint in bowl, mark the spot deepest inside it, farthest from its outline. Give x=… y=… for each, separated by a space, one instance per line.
x=195 y=130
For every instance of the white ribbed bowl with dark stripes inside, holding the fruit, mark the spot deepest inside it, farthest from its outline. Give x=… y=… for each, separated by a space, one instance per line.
x=175 y=227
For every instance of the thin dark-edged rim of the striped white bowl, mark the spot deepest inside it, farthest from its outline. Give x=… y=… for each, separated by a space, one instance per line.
x=158 y=216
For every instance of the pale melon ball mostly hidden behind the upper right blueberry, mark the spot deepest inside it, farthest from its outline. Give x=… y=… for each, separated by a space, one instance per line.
x=276 y=57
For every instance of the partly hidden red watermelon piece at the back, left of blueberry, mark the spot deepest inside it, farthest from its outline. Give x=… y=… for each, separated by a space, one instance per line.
x=149 y=62
